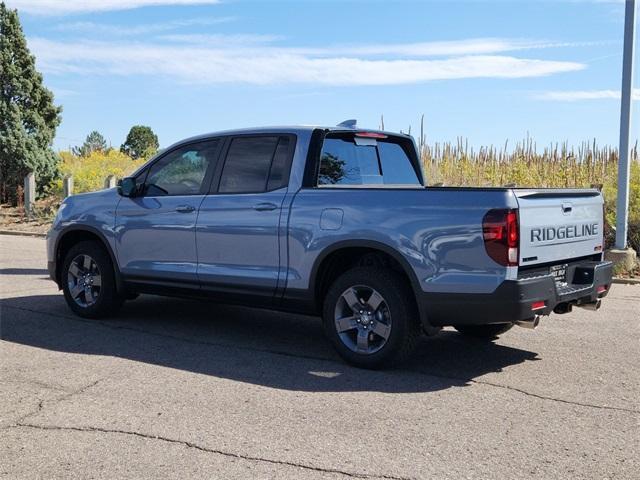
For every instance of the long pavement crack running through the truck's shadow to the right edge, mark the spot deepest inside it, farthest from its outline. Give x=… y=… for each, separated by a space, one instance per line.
x=326 y=359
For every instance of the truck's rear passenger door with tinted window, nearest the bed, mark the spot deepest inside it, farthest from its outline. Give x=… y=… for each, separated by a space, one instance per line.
x=238 y=233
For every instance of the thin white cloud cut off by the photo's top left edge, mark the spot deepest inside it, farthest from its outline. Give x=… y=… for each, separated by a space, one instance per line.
x=60 y=7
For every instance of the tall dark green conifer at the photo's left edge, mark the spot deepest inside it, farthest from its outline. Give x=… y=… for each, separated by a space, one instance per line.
x=28 y=116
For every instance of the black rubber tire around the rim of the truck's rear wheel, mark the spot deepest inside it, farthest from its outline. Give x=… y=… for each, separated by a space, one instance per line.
x=398 y=303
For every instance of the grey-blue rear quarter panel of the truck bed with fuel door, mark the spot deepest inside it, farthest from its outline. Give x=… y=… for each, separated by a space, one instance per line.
x=437 y=231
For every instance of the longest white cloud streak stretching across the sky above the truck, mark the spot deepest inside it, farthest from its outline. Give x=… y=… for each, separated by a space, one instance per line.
x=263 y=65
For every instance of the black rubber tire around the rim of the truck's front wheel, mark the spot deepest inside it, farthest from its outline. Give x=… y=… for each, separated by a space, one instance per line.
x=106 y=301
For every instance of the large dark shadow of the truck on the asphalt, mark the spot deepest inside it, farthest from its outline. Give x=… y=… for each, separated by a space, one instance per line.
x=260 y=347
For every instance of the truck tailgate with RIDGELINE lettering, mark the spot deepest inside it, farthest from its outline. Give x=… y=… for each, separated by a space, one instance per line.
x=557 y=225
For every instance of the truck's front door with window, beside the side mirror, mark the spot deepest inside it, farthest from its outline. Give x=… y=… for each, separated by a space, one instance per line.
x=155 y=230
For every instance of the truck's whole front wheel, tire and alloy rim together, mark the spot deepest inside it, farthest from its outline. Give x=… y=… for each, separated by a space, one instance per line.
x=88 y=281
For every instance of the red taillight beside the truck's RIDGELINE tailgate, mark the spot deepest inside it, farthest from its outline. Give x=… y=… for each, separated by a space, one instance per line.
x=501 y=238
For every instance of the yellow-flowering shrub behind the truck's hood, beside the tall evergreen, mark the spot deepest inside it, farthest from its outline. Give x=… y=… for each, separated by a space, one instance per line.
x=89 y=173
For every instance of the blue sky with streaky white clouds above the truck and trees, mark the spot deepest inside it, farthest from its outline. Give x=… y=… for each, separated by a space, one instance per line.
x=489 y=71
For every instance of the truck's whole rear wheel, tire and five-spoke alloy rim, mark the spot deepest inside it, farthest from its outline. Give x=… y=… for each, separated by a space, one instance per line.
x=371 y=317
